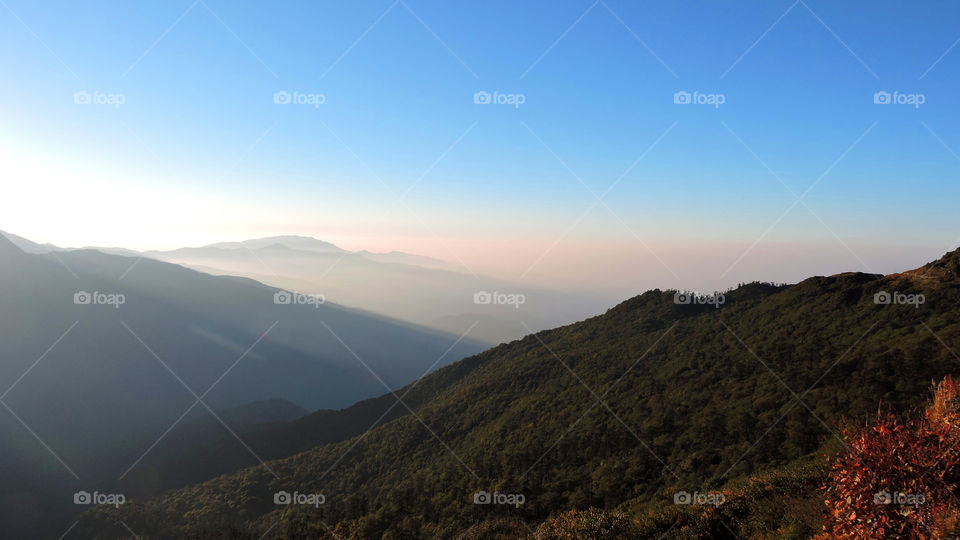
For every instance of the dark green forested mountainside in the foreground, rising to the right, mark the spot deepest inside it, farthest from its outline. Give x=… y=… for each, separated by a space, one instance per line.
x=617 y=412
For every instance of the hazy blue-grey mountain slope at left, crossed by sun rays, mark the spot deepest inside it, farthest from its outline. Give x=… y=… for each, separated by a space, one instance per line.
x=104 y=354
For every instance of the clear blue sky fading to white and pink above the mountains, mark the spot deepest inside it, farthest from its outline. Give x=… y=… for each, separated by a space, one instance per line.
x=537 y=141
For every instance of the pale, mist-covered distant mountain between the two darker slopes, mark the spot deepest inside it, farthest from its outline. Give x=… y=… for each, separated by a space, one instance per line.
x=409 y=287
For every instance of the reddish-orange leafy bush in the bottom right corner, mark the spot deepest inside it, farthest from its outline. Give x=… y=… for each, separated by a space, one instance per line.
x=914 y=462
